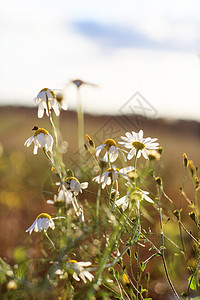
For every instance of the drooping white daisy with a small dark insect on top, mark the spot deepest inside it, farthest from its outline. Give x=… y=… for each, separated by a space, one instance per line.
x=41 y=139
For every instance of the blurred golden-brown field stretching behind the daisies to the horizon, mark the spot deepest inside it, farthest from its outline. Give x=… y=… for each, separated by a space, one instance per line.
x=25 y=179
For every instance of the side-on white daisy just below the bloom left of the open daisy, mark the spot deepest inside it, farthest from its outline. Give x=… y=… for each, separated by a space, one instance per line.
x=112 y=174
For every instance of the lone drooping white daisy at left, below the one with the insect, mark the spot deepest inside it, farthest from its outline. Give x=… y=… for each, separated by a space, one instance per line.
x=42 y=222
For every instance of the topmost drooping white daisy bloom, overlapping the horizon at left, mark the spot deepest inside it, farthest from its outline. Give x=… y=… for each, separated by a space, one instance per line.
x=48 y=99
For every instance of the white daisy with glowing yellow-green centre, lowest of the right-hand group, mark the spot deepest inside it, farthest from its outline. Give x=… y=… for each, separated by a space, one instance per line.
x=136 y=195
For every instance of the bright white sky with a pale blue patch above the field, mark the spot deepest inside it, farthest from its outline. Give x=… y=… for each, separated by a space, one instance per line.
x=123 y=46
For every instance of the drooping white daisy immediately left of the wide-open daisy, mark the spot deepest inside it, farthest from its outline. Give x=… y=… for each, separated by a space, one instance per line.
x=112 y=151
